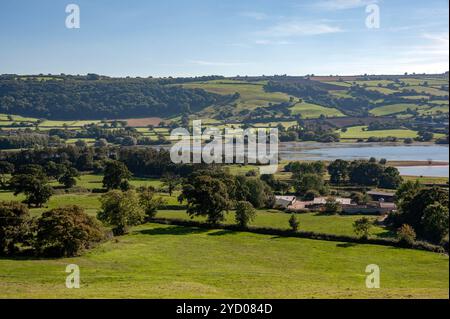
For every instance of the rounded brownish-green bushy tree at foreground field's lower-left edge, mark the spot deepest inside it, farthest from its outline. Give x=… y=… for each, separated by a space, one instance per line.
x=65 y=232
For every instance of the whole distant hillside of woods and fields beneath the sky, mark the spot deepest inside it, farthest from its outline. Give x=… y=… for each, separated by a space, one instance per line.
x=238 y=99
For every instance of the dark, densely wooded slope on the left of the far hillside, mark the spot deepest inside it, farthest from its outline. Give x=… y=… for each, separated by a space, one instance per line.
x=94 y=97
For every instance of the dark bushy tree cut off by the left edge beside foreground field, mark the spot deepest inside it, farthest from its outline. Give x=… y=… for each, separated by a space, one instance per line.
x=15 y=225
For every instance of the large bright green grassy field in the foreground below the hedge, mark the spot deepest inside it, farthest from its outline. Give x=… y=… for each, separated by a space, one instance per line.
x=177 y=262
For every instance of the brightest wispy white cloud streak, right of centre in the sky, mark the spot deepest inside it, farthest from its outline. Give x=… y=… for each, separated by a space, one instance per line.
x=298 y=29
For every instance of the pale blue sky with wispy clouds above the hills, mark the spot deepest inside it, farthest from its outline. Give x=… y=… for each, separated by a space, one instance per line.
x=226 y=37
